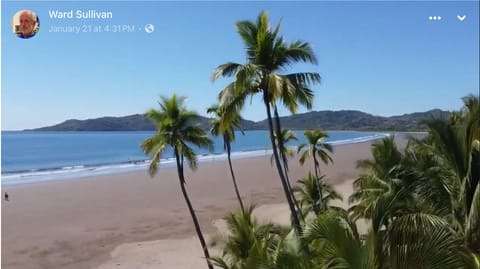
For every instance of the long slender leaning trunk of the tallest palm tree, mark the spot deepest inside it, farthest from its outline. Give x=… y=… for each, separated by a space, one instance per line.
x=296 y=222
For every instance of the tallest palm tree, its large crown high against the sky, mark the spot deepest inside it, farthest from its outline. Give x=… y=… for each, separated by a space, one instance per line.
x=267 y=54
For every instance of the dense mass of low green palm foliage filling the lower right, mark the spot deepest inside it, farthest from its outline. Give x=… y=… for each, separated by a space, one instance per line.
x=422 y=205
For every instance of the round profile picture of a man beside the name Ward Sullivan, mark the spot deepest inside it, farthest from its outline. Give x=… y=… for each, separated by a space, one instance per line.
x=25 y=24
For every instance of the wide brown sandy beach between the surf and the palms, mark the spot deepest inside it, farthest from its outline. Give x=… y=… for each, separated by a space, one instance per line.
x=82 y=223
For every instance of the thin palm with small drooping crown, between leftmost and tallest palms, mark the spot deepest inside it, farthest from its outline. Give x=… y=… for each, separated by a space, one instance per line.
x=221 y=125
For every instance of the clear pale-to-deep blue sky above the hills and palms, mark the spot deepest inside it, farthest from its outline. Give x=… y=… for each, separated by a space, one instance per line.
x=384 y=58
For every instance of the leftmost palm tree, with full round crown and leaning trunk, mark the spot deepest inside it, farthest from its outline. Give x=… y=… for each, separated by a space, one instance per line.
x=176 y=129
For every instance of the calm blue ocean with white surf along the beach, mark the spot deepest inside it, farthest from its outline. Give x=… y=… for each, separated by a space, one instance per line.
x=30 y=157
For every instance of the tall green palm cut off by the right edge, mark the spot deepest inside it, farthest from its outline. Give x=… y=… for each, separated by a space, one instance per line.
x=456 y=141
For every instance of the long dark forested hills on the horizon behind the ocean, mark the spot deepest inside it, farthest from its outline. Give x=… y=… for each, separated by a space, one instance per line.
x=327 y=120
